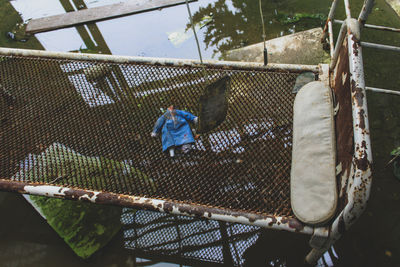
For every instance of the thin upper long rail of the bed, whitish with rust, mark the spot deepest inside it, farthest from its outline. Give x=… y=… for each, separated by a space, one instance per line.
x=158 y=61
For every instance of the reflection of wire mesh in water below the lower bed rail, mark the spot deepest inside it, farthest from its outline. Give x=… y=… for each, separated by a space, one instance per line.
x=183 y=238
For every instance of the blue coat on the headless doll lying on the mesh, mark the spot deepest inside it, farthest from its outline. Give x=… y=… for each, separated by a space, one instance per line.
x=175 y=128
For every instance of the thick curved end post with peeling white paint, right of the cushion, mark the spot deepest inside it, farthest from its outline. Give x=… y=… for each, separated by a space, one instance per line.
x=360 y=173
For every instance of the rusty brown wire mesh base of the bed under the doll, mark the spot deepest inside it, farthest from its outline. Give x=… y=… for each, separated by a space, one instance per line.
x=87 y=124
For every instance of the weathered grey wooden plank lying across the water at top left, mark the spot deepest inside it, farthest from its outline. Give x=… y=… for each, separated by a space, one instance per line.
x=98 y=13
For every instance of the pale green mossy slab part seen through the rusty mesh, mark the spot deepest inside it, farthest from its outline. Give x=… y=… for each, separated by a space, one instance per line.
x=60 y=165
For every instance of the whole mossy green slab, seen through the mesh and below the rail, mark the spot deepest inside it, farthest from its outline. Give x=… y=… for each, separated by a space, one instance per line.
x=84 y=226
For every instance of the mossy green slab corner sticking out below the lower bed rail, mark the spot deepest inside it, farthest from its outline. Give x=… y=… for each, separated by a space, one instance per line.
x=85 y=227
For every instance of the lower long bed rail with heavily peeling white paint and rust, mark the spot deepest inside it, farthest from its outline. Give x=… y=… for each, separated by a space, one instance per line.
x=265 y=221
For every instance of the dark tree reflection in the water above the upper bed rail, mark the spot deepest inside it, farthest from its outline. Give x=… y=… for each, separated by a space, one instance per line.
x=237 y=23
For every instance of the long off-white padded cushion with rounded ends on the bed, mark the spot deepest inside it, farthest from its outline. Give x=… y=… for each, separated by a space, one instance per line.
x=313 y=174
